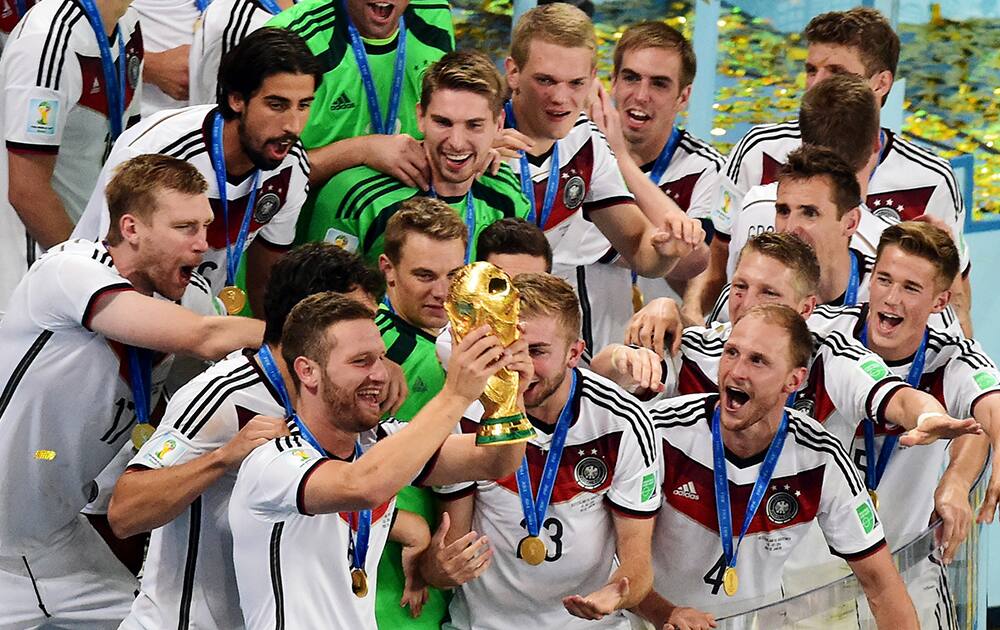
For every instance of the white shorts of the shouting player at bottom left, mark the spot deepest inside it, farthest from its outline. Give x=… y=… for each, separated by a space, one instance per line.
x=76 y=582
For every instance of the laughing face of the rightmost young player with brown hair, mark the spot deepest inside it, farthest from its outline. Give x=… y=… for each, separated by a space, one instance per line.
x=905 y=291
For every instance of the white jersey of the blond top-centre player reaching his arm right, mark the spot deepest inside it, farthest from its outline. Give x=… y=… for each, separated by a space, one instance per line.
x=589 y=181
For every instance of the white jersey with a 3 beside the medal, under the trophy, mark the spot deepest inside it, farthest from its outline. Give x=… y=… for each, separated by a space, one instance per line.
x=609 y=463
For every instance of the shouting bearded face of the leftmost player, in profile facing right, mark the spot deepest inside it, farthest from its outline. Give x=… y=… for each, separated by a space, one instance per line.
x=171 y=245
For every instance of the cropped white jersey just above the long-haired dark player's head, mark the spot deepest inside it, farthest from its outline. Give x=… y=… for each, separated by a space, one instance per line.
x=224 y=24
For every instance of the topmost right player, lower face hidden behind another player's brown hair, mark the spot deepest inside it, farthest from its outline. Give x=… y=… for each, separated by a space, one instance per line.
x=909 y=181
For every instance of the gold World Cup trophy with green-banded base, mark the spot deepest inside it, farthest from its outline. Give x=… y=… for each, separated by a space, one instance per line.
x=482 y=294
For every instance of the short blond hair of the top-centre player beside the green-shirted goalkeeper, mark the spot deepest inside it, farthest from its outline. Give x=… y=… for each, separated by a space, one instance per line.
x=558 y=23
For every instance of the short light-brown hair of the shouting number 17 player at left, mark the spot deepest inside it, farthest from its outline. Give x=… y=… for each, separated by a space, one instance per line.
x=134 y=189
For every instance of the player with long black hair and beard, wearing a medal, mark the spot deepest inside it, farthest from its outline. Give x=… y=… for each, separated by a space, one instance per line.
x=248 y=145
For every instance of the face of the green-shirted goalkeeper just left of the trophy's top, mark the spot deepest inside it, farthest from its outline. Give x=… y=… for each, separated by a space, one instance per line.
x=418 y=284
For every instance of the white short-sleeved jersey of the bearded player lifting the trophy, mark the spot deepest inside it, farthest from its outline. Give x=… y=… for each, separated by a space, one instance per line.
x=292 y=568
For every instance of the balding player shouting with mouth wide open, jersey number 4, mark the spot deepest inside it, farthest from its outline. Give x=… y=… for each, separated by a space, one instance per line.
x=738 y=459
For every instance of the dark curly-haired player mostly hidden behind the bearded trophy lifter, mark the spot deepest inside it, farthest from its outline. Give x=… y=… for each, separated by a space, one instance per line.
x=179 y=483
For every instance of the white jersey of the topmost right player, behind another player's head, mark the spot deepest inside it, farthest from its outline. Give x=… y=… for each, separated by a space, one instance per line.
x=909 y=181
